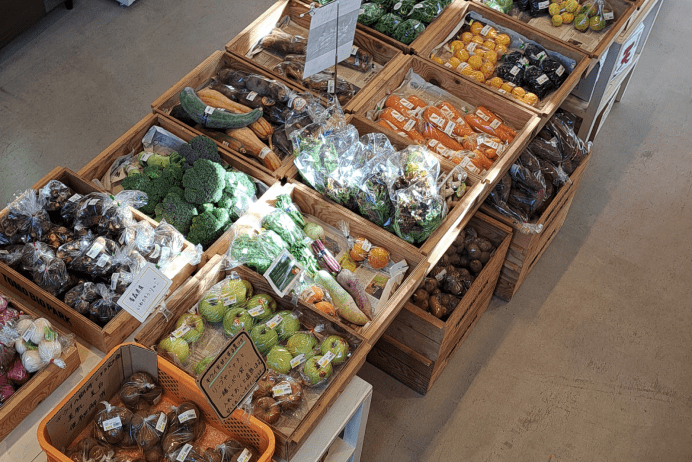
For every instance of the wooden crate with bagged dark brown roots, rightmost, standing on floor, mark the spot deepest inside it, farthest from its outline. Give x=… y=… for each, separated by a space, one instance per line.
x=535 y=196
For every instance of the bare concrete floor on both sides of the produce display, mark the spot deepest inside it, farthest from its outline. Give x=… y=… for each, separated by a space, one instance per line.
x=591 y=359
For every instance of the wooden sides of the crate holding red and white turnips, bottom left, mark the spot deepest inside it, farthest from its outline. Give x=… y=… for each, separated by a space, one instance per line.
x=44 y=382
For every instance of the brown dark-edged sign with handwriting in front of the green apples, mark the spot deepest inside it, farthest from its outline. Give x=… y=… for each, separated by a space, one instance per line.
x=232 y=375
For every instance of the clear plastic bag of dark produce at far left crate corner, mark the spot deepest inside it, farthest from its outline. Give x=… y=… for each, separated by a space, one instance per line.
x=26 y=219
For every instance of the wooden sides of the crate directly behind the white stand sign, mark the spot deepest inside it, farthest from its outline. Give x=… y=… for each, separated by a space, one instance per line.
x=382 y=52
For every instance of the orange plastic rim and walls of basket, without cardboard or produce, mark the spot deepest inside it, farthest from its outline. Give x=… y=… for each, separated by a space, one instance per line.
x=177 y=387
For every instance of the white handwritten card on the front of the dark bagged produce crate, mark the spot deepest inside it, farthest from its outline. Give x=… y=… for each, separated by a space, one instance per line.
x=145 y=293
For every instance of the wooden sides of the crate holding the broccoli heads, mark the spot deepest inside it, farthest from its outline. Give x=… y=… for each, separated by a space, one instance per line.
x=132 y=140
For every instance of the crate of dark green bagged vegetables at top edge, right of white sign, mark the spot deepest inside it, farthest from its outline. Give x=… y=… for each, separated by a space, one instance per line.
x=403 y=24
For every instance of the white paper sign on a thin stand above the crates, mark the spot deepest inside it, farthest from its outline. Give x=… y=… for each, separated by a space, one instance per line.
x=322 y=41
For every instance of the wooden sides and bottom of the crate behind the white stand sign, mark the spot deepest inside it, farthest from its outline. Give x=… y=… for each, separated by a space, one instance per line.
x=296 y=14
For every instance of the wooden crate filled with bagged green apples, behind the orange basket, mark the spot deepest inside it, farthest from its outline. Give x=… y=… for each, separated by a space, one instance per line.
x=306 y=351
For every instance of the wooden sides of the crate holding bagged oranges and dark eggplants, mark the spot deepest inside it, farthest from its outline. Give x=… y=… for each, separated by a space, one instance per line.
x=456 y=15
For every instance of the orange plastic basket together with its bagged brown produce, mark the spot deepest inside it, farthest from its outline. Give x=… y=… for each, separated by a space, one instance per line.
x=142 y=407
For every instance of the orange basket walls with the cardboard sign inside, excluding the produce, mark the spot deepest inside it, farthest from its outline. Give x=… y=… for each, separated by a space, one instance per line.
x=71 y=418
